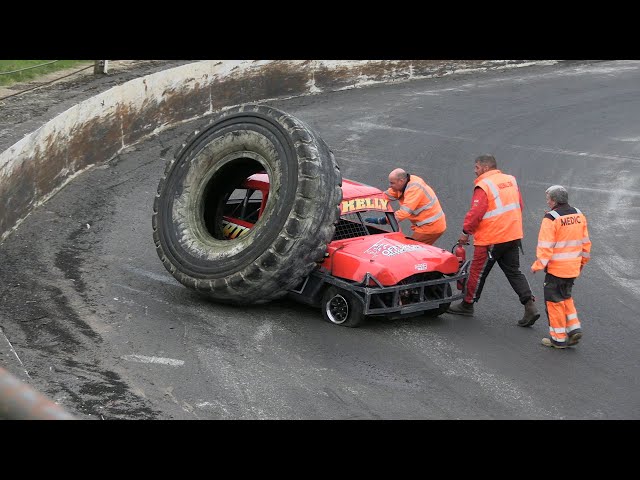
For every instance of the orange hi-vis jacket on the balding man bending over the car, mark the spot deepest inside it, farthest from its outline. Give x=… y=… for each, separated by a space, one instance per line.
x=420 y=205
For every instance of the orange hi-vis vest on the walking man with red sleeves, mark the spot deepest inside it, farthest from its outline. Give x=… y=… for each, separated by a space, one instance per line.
x=503 y=220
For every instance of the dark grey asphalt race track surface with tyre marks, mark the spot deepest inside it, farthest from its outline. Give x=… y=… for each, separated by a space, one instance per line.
x=91 y=318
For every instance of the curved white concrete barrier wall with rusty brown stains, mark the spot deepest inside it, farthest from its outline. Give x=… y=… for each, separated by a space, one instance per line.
x=96 y=130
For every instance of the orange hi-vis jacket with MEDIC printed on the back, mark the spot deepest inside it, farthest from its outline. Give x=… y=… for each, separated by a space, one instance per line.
x=563 y=242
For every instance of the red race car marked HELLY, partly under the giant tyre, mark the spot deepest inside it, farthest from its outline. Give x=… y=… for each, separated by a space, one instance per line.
x=369 y=269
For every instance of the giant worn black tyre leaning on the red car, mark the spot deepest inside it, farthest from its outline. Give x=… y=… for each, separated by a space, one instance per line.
x=298 y=221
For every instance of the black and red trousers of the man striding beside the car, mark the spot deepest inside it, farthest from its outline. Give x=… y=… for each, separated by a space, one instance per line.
x=507 y=255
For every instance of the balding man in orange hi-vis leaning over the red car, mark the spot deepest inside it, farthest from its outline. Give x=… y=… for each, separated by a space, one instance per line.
x=418 y=204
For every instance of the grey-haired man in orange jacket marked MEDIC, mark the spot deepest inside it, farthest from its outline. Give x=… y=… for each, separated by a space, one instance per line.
x=564 y=248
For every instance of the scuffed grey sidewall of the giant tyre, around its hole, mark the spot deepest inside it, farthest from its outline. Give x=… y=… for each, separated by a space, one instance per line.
x=187 y=242
